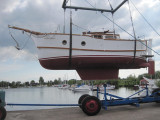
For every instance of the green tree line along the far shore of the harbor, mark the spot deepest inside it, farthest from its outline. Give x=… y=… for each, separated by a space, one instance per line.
x=130 y=81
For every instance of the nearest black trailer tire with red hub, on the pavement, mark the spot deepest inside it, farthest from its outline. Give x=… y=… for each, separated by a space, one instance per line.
x=91 y=105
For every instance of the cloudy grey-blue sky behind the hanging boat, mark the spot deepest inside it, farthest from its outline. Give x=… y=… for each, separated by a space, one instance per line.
x=48 y=16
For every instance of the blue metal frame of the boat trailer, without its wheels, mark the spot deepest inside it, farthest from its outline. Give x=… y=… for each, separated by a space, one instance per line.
x=130 y=100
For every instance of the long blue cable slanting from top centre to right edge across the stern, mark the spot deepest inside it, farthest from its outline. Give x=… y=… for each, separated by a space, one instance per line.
x=123 y=29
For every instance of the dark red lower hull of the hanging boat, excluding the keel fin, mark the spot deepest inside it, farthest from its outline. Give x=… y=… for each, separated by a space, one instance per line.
x=80 y=62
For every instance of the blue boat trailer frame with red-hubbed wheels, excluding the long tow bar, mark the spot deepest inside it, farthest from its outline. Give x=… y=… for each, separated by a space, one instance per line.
x=91 y=106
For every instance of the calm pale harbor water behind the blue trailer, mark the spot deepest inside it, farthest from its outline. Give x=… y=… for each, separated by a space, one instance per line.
x=50 y=95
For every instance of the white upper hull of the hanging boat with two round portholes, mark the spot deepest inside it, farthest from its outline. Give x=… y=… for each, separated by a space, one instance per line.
x=51 y=46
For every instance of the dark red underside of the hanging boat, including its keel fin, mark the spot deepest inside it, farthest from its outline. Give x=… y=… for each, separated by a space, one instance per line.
x=95 y=67
